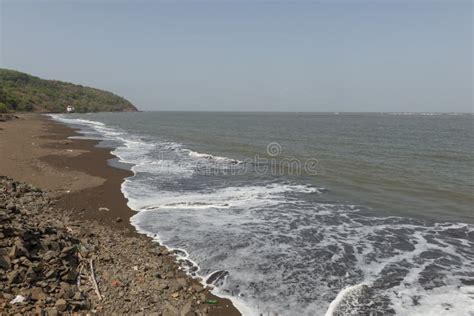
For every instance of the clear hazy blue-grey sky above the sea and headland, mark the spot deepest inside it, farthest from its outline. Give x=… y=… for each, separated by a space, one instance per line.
x=369 y=56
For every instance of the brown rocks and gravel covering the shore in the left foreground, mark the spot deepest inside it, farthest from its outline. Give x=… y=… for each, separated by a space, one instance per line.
x=52 y=264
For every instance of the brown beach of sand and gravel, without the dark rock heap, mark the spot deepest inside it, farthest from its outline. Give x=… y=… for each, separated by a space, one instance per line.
x=85 y=196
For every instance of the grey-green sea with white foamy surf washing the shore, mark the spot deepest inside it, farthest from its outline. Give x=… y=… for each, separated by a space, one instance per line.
x=306 y=213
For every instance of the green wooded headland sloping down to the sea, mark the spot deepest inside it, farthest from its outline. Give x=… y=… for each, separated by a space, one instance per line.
x=25 y=93
